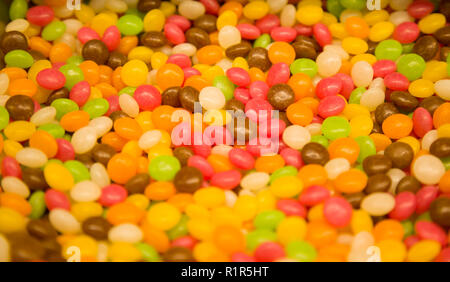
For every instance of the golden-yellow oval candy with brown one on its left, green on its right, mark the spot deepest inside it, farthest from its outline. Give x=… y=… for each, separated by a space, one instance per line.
x=58 y=177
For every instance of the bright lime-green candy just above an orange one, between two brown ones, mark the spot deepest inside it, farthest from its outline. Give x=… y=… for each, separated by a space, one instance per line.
x=164 y=168
